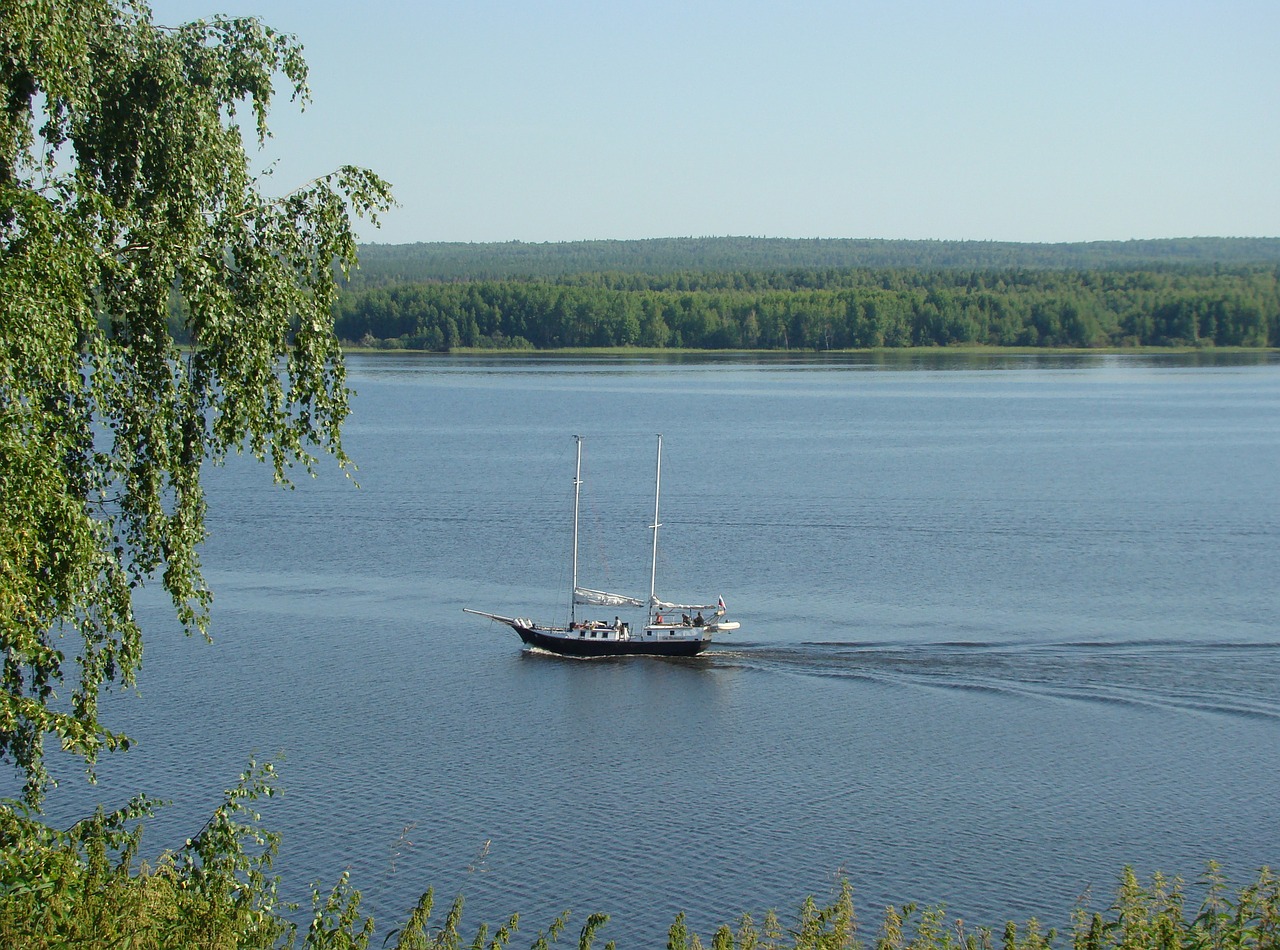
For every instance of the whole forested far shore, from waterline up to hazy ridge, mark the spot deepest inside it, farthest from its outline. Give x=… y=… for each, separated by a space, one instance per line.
x=725 y=294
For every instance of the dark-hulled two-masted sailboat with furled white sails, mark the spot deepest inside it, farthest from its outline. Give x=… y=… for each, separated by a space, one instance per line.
x=669 y=629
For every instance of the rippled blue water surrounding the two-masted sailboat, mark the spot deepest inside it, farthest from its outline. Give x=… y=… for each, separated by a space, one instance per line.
x=1009 y=624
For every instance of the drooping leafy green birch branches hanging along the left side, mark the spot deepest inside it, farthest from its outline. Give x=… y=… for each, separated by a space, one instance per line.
x=127 y=194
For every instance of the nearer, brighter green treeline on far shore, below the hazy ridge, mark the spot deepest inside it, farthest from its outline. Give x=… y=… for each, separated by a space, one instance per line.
x=826 y=309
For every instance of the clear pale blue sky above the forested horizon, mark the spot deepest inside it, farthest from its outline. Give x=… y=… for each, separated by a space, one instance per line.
x=1020 y=121
